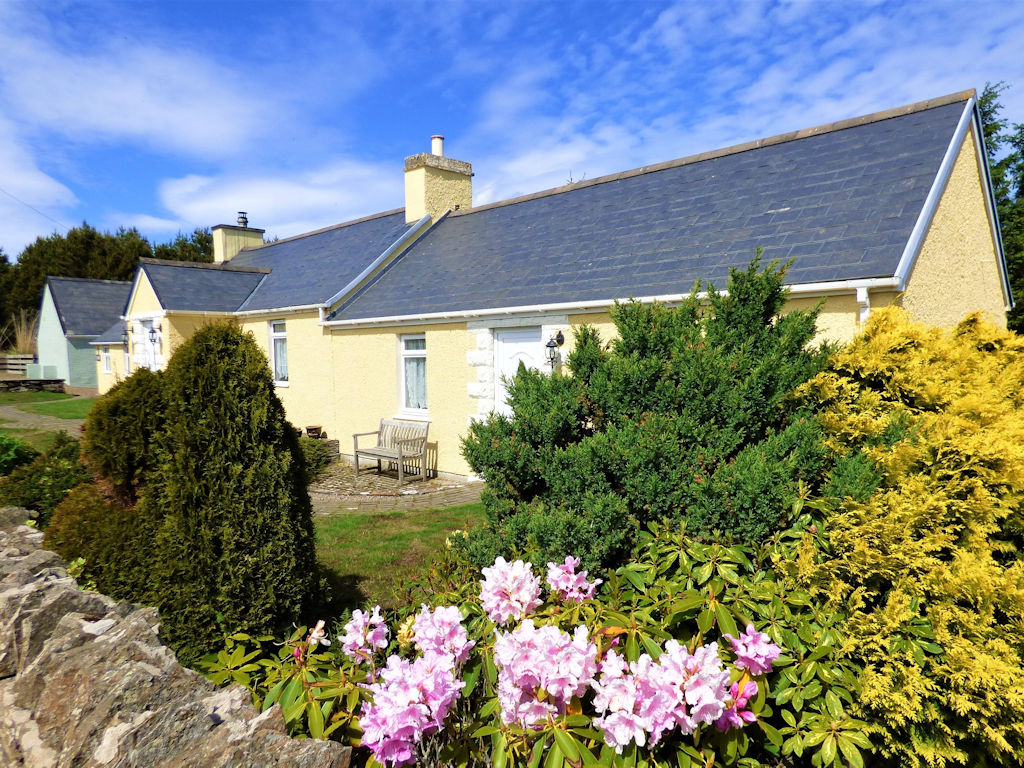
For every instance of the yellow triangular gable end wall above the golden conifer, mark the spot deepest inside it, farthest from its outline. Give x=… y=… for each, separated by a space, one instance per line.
x=958 y=272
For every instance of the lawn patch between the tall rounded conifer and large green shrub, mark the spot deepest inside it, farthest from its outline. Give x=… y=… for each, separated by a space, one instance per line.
x=369 y=554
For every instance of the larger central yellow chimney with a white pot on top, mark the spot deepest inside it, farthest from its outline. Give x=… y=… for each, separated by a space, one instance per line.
x=437 y=185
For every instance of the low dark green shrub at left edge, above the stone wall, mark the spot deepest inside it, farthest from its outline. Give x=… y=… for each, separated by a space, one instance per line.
x=45 y=483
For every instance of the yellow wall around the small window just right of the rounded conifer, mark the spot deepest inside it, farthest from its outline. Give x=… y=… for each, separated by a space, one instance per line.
x=310 y=397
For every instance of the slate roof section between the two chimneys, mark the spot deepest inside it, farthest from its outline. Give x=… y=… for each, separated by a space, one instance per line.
x=312 y=269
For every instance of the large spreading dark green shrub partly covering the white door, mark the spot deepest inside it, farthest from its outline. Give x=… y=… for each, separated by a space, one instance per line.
x=686 y=416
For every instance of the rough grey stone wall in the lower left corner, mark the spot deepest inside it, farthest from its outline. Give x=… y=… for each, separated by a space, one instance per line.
x=84 y=681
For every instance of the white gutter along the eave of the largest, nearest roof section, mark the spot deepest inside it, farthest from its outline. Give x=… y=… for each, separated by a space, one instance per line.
x=801 y=289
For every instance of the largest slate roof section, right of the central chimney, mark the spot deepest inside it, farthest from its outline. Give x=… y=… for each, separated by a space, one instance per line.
x=841 y=202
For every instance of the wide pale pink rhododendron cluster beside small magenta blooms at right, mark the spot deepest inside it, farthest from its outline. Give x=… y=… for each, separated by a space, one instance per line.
x=643 y=701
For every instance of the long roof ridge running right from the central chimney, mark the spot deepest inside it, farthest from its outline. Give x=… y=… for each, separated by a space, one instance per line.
x=781 y=139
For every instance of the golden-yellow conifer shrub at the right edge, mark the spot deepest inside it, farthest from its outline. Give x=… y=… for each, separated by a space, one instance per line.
x=928 y=568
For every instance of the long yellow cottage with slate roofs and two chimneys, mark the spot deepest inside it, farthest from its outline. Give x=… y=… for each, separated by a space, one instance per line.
x=417 y=314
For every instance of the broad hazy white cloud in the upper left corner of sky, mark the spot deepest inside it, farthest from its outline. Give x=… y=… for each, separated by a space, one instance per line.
x=169 y=99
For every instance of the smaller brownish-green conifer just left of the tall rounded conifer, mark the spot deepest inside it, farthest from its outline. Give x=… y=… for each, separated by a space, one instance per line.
x=121 y=431
